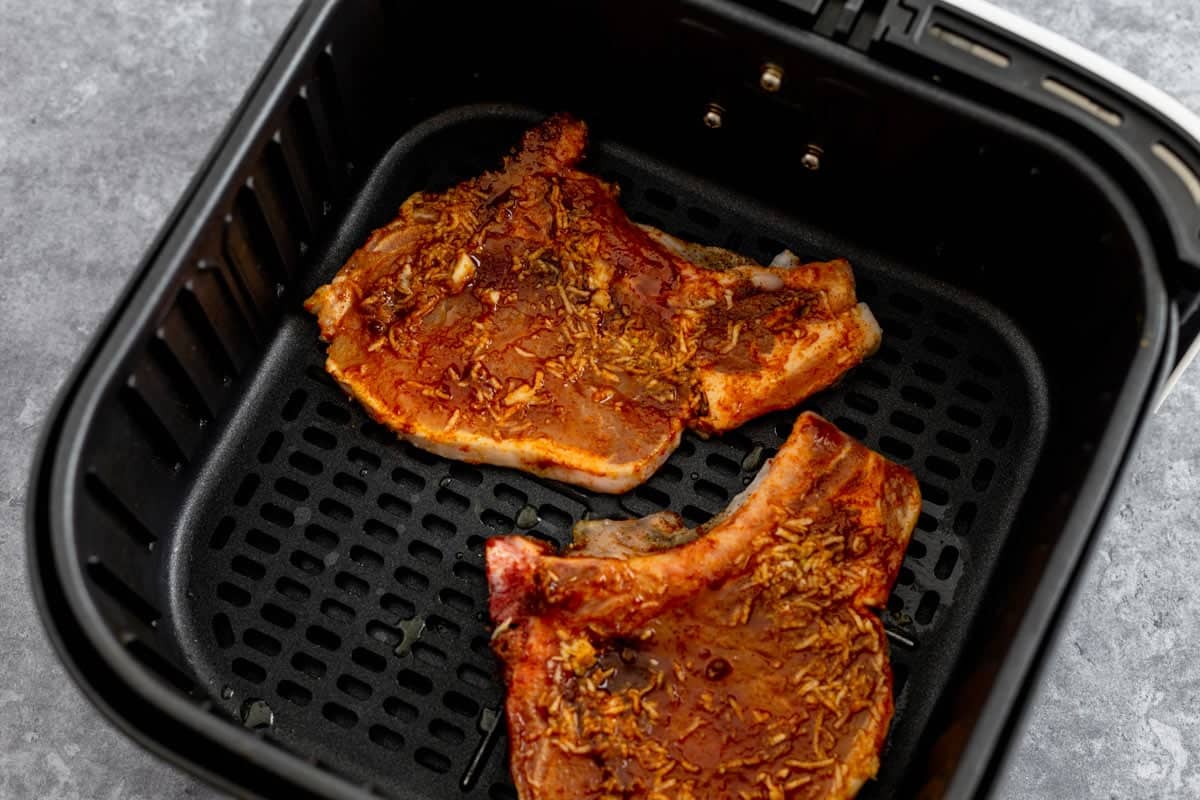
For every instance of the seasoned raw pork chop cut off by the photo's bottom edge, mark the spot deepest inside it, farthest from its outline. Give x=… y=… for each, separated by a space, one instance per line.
x=741 y=660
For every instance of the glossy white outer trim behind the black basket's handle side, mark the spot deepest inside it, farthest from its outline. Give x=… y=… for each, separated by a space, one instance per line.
x=1109 y=73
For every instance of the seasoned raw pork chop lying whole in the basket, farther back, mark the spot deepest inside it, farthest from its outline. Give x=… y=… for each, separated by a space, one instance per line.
x=521 y=320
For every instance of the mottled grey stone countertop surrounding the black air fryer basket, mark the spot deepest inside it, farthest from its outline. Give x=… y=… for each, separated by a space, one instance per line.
x=107 y=110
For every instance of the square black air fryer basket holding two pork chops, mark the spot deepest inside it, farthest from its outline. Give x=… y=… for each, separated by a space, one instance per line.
x=261 y=584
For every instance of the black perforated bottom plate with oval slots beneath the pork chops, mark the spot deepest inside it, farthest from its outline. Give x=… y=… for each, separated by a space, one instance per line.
x=341 y=578
